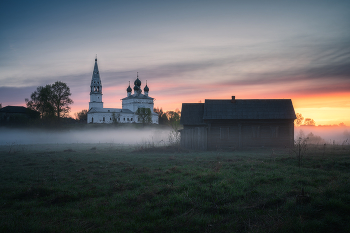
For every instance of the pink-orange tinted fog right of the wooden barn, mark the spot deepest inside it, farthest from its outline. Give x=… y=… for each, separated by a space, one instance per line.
x=330 y=135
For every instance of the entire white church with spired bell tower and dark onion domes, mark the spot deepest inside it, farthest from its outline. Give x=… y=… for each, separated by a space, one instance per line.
x=127 y=114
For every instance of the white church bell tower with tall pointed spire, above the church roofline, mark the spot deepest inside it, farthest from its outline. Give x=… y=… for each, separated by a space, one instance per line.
x=96 y=89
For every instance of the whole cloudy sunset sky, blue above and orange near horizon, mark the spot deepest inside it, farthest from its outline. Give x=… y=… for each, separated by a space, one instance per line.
x=188 y=51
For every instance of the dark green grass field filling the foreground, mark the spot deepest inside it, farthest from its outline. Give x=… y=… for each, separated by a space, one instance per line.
x=119 y=188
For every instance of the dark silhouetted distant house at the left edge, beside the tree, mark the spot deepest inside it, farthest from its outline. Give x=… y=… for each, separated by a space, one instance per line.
x=17 y=114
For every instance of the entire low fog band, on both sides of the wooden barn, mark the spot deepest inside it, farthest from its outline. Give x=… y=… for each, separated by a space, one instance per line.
x=135 y=136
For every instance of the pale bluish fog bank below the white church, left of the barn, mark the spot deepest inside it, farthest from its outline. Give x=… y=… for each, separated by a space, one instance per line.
x=130 y=136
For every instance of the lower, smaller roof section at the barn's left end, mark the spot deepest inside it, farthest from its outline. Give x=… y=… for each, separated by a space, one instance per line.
x=192 y=114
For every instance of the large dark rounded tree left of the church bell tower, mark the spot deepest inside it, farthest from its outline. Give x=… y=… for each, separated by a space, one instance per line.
x=51 y=100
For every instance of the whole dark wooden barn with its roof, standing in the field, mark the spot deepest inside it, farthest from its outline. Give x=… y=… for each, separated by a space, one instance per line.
x=236 y=123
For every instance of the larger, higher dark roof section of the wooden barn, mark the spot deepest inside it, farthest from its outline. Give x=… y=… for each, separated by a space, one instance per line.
x=249 y=109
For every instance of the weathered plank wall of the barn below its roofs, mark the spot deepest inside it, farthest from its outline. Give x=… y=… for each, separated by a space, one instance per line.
x=228 y=134
